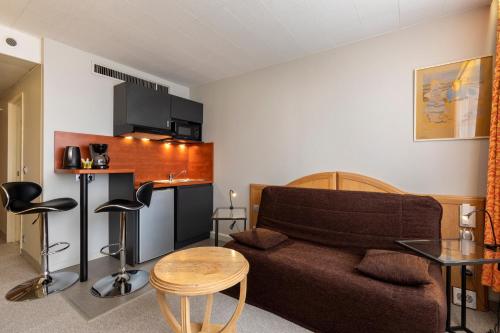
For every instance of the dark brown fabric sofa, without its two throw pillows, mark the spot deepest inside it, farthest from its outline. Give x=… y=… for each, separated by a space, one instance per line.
x=311 y=279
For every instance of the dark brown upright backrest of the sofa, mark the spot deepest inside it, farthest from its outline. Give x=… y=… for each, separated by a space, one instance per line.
x=348 y=218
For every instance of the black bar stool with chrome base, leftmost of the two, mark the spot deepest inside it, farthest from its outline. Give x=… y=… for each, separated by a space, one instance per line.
x=16 y=198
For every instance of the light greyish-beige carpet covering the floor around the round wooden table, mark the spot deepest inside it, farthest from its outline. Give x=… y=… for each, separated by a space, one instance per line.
x=141 y=314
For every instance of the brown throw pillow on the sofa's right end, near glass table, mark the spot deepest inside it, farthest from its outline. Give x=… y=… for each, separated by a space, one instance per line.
x=395 y=267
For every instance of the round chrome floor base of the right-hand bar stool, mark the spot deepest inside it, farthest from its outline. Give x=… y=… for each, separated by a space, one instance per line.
x=119 y=284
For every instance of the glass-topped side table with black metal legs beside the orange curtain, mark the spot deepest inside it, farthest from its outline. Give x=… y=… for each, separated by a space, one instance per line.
x=452 y=252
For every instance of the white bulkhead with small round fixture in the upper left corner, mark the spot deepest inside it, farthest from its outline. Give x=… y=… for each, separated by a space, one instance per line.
x=28 y=47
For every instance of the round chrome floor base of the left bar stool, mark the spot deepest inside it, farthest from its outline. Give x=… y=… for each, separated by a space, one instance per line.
x=41 y=287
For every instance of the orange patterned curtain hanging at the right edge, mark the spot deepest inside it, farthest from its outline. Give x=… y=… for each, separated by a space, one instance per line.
x=491 y=276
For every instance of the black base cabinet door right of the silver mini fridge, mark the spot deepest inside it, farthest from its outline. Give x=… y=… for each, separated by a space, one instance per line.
x=193 y=214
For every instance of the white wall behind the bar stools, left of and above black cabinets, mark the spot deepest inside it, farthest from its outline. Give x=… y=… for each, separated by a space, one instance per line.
x=76 y=100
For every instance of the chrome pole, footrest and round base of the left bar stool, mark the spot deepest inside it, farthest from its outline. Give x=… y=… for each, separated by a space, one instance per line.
x=47 y=283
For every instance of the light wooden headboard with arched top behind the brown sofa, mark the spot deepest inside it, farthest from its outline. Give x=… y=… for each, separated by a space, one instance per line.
x=354 y=182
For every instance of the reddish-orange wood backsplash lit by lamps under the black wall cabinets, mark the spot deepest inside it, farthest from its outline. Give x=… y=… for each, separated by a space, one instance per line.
x=151 y=160
